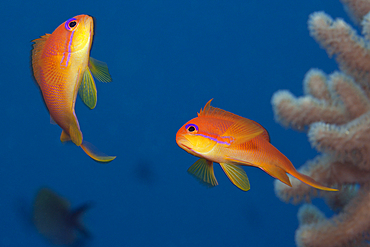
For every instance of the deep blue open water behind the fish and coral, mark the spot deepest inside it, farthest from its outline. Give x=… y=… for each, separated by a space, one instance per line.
x=167 y=59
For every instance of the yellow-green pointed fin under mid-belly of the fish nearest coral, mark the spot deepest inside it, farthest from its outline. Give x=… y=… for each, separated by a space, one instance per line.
x=237 y=176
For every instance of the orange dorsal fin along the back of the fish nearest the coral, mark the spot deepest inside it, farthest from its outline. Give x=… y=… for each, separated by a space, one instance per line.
x=218 y=113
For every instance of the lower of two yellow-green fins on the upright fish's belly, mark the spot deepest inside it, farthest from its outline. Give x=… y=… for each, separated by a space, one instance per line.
x=87 y=90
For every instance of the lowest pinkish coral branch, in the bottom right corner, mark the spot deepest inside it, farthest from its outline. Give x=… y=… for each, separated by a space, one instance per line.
x=345 y=229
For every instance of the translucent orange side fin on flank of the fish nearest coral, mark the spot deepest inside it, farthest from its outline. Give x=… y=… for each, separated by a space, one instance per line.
x=243 y=130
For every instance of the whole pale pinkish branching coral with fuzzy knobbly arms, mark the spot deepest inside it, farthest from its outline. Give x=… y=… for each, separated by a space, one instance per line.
x=336 y=112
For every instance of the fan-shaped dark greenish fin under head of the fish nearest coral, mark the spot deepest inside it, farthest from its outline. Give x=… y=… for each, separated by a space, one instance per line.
x=203 y=170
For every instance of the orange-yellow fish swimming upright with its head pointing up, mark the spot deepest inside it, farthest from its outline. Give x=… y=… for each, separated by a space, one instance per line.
x=62 y=66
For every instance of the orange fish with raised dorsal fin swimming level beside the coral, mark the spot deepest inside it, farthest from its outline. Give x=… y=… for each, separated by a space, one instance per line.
x=232 y=141
